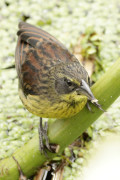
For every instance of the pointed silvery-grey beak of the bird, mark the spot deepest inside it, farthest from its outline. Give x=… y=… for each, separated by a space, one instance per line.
x=85 y=90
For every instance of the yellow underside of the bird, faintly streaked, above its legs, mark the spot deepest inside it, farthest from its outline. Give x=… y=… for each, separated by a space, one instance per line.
x=44 y=108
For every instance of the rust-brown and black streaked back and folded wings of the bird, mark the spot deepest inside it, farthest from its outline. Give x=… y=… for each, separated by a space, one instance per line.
x=36 y=52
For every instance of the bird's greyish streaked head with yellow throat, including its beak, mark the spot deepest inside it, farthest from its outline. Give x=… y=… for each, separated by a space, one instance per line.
x=72 y=80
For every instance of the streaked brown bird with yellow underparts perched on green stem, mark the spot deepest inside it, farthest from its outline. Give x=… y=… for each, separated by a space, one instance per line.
x=52 y=81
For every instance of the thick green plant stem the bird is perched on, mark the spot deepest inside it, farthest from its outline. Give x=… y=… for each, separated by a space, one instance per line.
x=64 y=131
